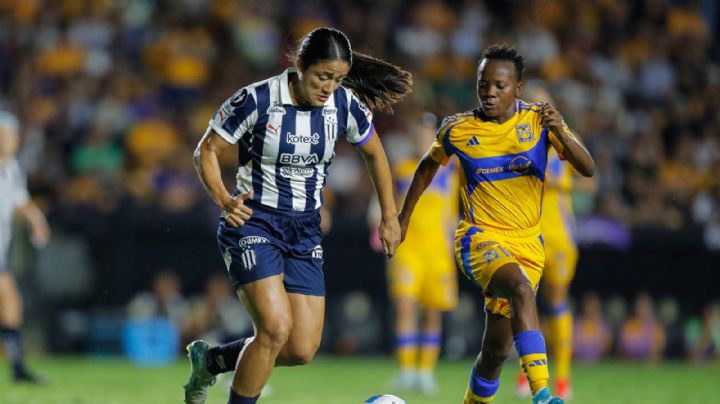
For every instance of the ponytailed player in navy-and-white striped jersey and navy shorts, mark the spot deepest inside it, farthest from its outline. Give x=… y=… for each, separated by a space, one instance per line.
x=269 y=235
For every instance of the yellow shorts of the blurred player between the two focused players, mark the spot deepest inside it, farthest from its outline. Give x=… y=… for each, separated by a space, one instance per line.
x=425 y=274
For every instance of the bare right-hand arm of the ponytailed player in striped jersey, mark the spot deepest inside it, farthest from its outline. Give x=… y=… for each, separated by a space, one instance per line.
x=379 y=170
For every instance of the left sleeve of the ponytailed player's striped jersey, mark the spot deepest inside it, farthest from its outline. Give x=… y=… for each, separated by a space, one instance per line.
x=237 y=115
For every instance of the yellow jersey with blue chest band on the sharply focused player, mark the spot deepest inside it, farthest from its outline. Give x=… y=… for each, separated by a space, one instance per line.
x=503 y=165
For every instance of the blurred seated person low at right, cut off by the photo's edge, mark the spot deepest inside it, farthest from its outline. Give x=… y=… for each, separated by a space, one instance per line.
x=702 y=335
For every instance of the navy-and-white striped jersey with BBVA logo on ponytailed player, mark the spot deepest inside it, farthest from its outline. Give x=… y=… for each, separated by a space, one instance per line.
x=285 y=150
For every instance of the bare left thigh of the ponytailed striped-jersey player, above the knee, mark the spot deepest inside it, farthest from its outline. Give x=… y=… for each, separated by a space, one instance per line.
x=268 y=304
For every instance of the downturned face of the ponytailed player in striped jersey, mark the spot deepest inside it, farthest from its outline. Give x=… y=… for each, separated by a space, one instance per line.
x=318 y=81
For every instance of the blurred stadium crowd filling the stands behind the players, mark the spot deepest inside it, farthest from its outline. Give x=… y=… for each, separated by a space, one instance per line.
x=113 y=95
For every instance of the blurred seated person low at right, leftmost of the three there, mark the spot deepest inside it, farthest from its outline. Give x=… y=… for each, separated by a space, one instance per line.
x=592 y=336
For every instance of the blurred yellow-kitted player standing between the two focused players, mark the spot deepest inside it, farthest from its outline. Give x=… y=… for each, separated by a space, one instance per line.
x=422 y=273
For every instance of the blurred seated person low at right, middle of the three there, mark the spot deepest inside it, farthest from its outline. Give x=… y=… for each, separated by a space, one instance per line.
x=642 y=335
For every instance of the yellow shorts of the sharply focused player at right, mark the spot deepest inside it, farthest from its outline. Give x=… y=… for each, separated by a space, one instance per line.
x=480 y=252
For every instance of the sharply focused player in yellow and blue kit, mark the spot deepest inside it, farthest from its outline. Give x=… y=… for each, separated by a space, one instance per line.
x=502 y=147
